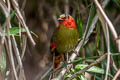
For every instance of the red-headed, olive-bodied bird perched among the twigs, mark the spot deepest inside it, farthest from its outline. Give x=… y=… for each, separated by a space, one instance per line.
x=65 y=38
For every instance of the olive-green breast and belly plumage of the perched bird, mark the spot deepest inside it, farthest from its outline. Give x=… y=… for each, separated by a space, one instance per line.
x=66 y=38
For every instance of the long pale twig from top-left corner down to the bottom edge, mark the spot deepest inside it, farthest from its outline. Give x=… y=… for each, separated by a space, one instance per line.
x=10 y=53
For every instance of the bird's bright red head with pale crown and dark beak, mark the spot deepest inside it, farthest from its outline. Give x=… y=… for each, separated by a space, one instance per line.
x=67 y=21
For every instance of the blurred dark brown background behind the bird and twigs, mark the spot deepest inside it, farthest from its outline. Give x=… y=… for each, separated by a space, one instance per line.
x=41 y=17
